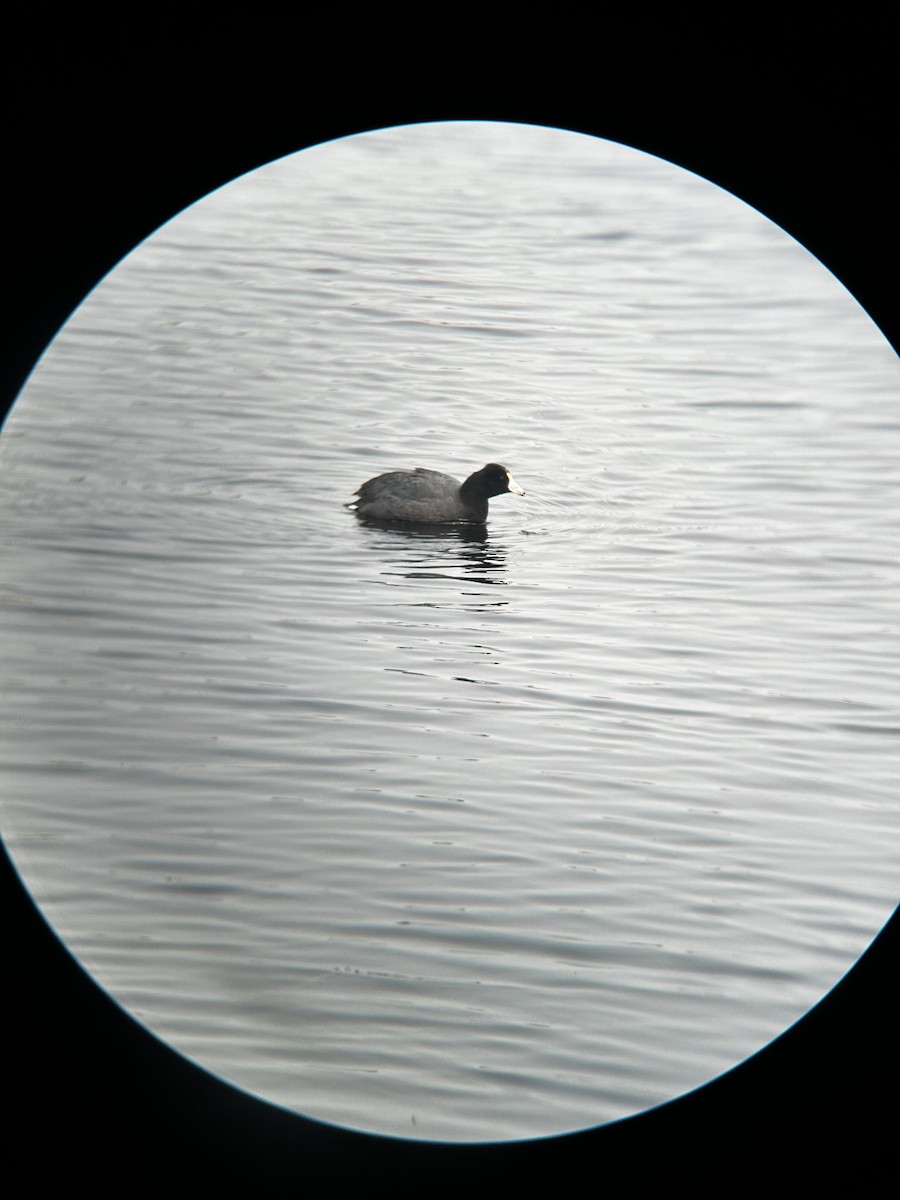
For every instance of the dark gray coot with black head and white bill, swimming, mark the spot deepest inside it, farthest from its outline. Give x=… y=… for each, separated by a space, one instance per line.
x=431 y=497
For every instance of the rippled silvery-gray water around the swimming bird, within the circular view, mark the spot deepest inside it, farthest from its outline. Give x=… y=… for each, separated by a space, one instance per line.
x=441 y=835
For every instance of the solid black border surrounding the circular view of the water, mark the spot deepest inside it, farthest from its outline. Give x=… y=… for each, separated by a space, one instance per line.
x=116 y=123
